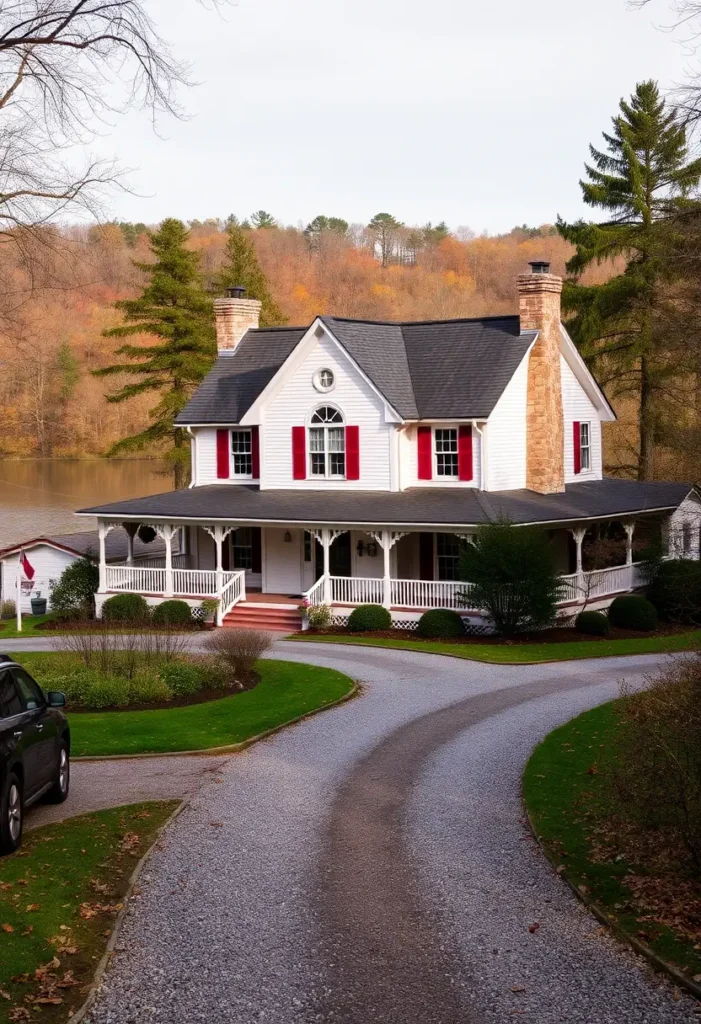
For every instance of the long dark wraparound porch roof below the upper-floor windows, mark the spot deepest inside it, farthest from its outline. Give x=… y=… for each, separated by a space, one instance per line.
x=430 y=507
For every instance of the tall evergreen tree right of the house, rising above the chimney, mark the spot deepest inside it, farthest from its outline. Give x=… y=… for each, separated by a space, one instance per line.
x=644 y=185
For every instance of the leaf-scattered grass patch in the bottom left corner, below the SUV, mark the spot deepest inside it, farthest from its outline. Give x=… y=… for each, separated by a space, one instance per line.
x=59 y=900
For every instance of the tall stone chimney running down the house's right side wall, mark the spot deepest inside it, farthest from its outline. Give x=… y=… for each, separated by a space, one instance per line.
x=540 y=309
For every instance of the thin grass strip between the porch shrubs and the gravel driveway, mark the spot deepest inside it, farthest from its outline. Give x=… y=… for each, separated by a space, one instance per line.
x=525 y=654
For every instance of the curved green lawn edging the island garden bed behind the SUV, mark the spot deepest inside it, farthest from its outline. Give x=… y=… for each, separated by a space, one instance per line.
x=287 y=692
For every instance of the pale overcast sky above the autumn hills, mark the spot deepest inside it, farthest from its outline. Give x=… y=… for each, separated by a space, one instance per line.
x=477 y=112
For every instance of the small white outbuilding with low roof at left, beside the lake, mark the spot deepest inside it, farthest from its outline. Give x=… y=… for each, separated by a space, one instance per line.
x=51 y=556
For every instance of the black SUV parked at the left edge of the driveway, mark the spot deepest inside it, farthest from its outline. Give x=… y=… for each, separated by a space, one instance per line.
x=35 y=745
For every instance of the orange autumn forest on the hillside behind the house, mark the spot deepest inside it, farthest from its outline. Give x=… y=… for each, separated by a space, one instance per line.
x=58 y=296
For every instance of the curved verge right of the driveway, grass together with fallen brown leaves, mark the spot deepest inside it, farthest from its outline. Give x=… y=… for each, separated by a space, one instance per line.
x=628 y=874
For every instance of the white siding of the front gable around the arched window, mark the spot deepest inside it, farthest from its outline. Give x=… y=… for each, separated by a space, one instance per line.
x=294 y=406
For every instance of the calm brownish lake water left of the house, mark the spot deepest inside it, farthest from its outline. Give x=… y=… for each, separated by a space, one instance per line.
x=40 y=496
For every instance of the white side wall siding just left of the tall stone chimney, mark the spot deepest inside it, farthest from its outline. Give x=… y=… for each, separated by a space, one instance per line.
x=506 y=436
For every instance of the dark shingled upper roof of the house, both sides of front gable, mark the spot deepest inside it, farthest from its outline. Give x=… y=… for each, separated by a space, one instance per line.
x=439 y=369
